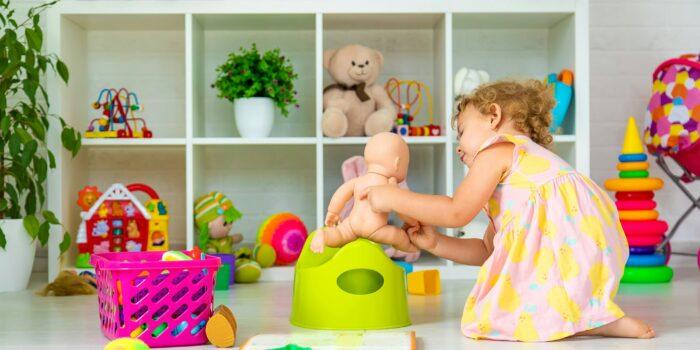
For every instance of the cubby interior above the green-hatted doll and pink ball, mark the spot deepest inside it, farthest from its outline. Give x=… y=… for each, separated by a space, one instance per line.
x=260 y=180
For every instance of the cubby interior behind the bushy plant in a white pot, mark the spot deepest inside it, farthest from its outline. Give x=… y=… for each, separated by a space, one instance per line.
x=214 y=36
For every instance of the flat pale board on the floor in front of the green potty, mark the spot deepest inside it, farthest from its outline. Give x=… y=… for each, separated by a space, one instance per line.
x=334 y=340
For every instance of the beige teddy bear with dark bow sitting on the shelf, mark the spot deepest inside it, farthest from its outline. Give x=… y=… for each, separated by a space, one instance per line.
x=354 y=105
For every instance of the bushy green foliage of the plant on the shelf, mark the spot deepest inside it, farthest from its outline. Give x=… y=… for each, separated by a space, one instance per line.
x=250 y=74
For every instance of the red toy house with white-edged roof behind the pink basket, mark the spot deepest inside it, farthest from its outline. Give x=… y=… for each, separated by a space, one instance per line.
x=117 y=221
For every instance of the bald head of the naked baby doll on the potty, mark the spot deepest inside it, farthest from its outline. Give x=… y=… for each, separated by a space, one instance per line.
x=387 y=154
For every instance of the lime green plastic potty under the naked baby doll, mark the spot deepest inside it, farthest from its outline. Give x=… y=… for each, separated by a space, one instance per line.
x=356 y=287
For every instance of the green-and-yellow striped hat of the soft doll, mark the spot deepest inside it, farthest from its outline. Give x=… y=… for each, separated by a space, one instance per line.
x=209 y=207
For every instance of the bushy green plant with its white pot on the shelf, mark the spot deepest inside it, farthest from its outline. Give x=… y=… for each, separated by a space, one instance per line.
x=256 y=83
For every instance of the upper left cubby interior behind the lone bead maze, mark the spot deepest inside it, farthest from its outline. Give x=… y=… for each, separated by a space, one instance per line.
x=143 y=53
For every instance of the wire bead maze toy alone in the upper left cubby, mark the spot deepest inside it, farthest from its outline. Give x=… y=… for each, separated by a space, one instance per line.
x=118 y=118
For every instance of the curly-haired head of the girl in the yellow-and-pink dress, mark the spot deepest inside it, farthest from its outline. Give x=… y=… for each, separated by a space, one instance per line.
x=503 y=107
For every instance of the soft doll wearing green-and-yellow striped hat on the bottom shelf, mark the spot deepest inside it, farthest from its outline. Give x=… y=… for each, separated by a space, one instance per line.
x=214 y=215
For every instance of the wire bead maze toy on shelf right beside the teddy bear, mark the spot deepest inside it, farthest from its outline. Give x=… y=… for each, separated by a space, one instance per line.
x=410 y=105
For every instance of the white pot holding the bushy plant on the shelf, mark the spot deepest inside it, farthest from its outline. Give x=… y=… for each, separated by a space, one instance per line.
x=254 y=116
